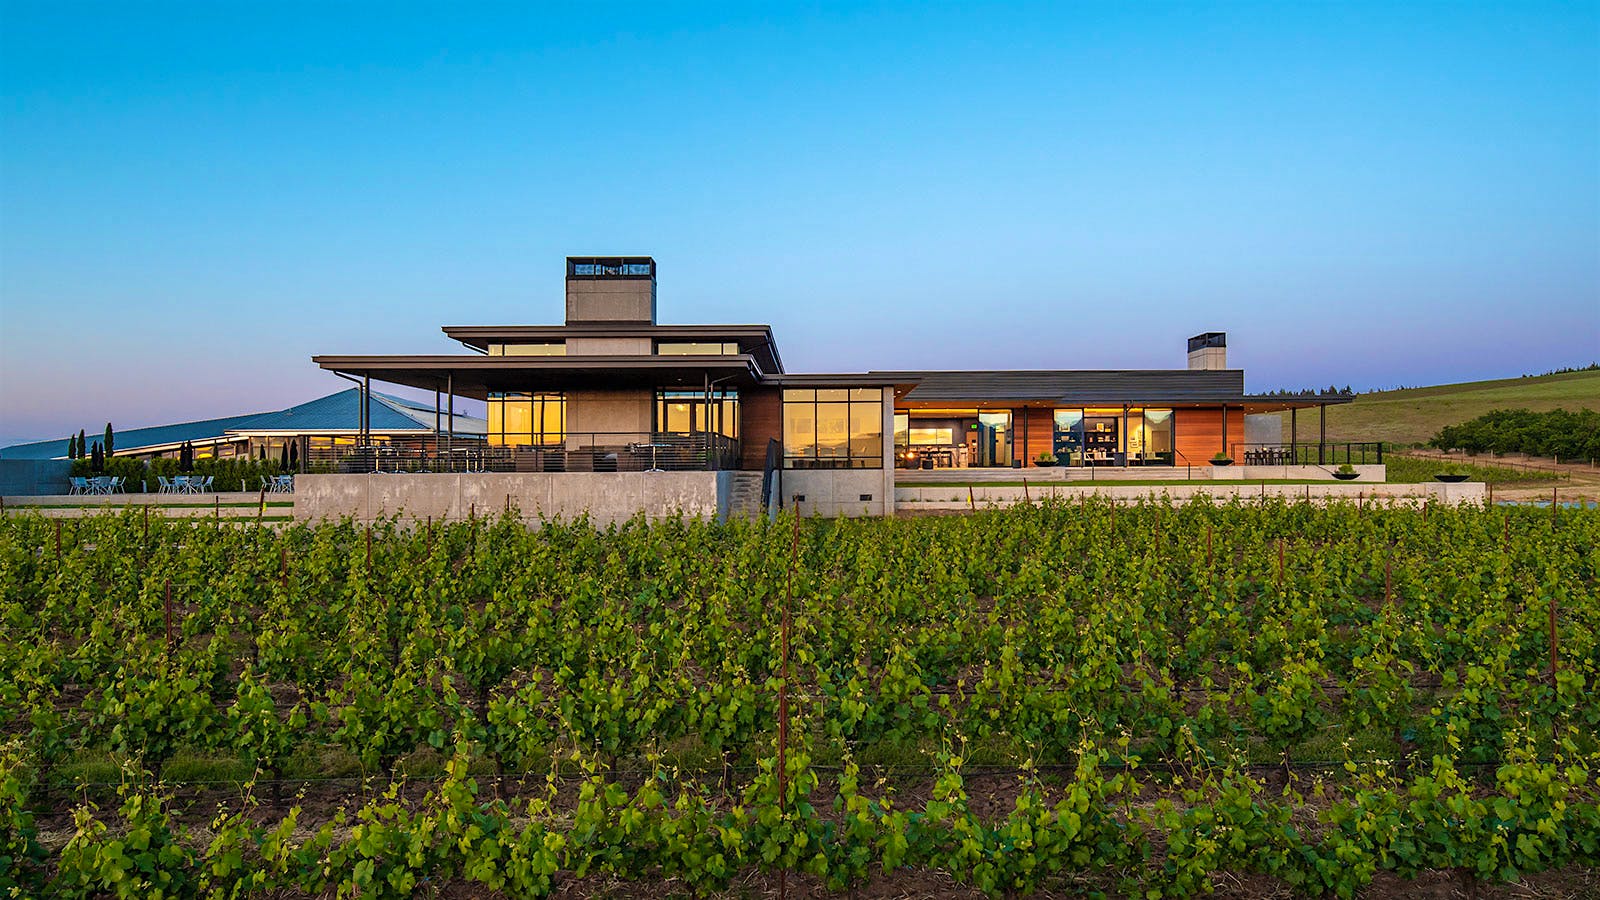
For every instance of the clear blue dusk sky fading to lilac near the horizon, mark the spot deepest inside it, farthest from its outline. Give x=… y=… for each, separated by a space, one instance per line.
x=194 y=199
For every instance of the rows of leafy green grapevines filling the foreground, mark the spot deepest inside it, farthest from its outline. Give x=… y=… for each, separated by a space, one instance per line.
x=1084 y=699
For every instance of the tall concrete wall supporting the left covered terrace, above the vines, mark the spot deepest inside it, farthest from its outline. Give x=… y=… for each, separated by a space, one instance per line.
x=606 y=497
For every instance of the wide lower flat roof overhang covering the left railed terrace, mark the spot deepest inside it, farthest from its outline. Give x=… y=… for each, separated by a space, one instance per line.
x=479 y=376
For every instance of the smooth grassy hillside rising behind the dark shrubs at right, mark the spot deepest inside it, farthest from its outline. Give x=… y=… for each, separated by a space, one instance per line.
x=1414 y=416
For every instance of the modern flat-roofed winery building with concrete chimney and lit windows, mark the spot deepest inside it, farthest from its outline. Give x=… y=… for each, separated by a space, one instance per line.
x=615 y=392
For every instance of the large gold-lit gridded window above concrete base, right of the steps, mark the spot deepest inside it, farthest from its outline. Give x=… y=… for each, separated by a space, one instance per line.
x=834 y=428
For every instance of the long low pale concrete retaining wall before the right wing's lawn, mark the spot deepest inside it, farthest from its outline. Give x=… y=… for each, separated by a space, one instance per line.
x=953 y=497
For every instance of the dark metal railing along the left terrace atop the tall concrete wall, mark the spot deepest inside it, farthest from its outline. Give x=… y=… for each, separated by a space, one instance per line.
x=586 y=452
